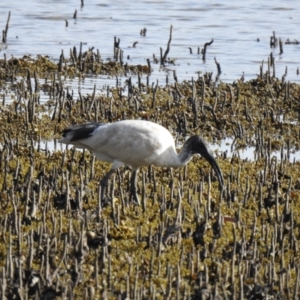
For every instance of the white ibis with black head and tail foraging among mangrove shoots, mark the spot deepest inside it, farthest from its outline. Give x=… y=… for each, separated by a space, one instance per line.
x=135 y=143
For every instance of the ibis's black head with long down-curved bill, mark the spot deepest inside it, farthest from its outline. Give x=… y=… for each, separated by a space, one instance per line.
x=195 y=144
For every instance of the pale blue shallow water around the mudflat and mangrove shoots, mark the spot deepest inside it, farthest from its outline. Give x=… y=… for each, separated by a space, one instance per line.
x=241 y=34
